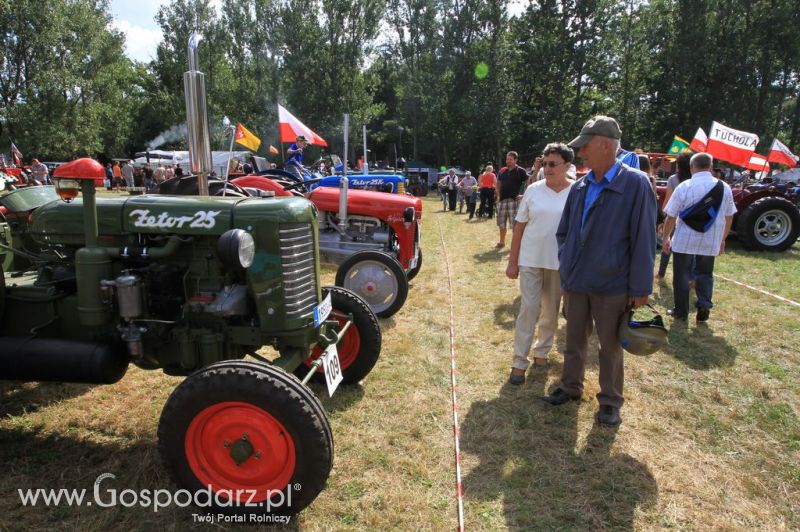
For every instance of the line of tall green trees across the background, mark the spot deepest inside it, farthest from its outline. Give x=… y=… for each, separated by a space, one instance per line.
x=442 y=81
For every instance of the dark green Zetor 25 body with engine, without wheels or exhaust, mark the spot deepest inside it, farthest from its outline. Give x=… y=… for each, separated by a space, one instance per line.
x=170 y=244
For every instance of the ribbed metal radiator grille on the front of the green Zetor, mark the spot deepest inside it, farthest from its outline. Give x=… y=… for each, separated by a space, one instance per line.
x=299 y=273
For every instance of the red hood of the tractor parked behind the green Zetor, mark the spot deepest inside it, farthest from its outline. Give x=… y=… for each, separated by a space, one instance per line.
x=367 y=203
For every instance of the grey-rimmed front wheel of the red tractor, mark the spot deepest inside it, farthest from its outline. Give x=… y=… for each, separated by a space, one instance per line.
x=377 y=278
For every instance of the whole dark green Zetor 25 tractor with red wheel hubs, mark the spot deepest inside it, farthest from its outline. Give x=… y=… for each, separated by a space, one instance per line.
x=191 y=285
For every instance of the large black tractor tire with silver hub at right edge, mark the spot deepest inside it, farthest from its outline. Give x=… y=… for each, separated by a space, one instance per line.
x=769 y=224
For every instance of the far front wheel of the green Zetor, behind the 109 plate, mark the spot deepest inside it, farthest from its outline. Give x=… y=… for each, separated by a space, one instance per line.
x=360 y=347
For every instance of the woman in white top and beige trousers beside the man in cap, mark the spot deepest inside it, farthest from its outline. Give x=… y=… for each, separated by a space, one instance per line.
x=534 y=260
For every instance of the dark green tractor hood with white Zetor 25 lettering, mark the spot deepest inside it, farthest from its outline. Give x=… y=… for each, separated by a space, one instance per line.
x=60 y=222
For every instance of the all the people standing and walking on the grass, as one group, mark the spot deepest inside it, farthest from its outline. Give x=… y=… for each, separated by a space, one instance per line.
x=587 y=247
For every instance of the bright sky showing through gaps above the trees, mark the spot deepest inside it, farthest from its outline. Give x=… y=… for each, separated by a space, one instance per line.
x=136 y=19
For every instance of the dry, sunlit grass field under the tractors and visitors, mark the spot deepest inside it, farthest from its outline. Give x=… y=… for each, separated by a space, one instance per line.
x=710 y=438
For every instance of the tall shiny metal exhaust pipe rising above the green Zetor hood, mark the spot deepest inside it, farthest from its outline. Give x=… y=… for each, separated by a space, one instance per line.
x=194 y=85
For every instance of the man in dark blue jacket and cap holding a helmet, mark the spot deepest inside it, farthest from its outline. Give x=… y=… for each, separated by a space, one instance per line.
x=605 y=247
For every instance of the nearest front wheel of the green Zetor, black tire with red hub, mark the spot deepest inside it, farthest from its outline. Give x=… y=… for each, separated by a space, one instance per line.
x=278 y=413
